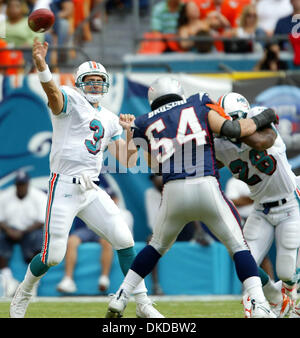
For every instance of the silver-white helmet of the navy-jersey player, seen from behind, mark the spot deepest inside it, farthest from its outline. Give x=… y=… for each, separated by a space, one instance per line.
x=164 y=86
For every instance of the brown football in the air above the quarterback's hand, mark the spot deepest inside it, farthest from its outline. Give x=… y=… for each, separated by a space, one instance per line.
x=41 y=20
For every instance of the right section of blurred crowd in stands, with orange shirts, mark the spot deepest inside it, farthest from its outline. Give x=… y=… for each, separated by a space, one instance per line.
x=230 y=26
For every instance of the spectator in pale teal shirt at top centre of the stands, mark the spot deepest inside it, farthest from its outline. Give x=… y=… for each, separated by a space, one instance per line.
x=165 y=15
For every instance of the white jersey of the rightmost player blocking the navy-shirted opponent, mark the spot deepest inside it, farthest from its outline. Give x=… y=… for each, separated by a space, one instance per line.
x=267 y=173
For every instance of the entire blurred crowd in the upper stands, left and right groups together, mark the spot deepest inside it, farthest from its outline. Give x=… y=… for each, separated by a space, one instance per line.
x=200 y=26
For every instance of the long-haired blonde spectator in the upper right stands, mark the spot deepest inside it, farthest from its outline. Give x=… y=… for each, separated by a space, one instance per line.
x=247 y=31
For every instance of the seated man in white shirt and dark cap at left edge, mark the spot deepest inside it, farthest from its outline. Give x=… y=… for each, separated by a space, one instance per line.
x=22 y=212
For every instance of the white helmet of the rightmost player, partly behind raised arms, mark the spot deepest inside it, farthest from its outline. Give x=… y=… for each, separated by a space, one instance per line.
x=235 y=105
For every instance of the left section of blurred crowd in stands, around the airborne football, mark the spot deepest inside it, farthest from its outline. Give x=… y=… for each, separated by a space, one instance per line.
x=75 y=22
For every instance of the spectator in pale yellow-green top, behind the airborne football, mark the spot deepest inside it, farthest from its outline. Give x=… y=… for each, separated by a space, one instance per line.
x=18 y=33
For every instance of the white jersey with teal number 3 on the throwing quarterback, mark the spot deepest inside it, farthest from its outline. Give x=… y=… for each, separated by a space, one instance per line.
x=81 y=133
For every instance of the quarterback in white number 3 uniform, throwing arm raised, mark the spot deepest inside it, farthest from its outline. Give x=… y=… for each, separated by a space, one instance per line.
x=82 y=130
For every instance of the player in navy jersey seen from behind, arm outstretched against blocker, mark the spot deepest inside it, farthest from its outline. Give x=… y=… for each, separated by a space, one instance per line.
x=179 y=133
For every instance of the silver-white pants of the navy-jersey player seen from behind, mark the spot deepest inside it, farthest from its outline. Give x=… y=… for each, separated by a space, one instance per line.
x=196 y=199
